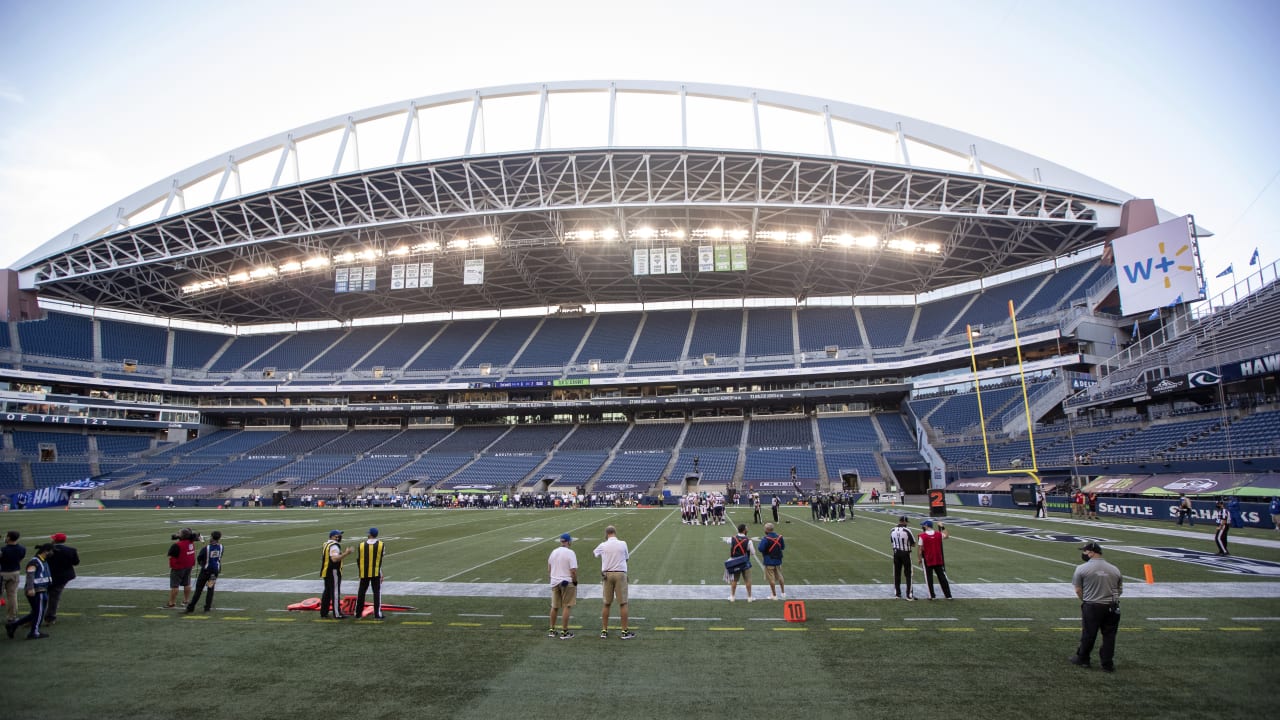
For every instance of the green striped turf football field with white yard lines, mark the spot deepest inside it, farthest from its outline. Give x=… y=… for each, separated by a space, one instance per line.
x=1201 y=639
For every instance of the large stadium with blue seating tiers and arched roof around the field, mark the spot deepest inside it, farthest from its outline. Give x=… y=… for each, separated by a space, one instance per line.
x=625 y=293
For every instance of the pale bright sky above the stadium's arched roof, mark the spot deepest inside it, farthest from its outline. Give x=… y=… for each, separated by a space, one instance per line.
x=1172 y=101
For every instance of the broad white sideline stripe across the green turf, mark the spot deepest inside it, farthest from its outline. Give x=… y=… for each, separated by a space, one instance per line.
x=984 y=591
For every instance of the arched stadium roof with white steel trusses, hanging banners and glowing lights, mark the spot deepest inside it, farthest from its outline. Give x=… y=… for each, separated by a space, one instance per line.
x=801 y=197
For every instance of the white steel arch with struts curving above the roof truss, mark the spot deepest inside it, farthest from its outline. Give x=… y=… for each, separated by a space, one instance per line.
x=340 y=143
